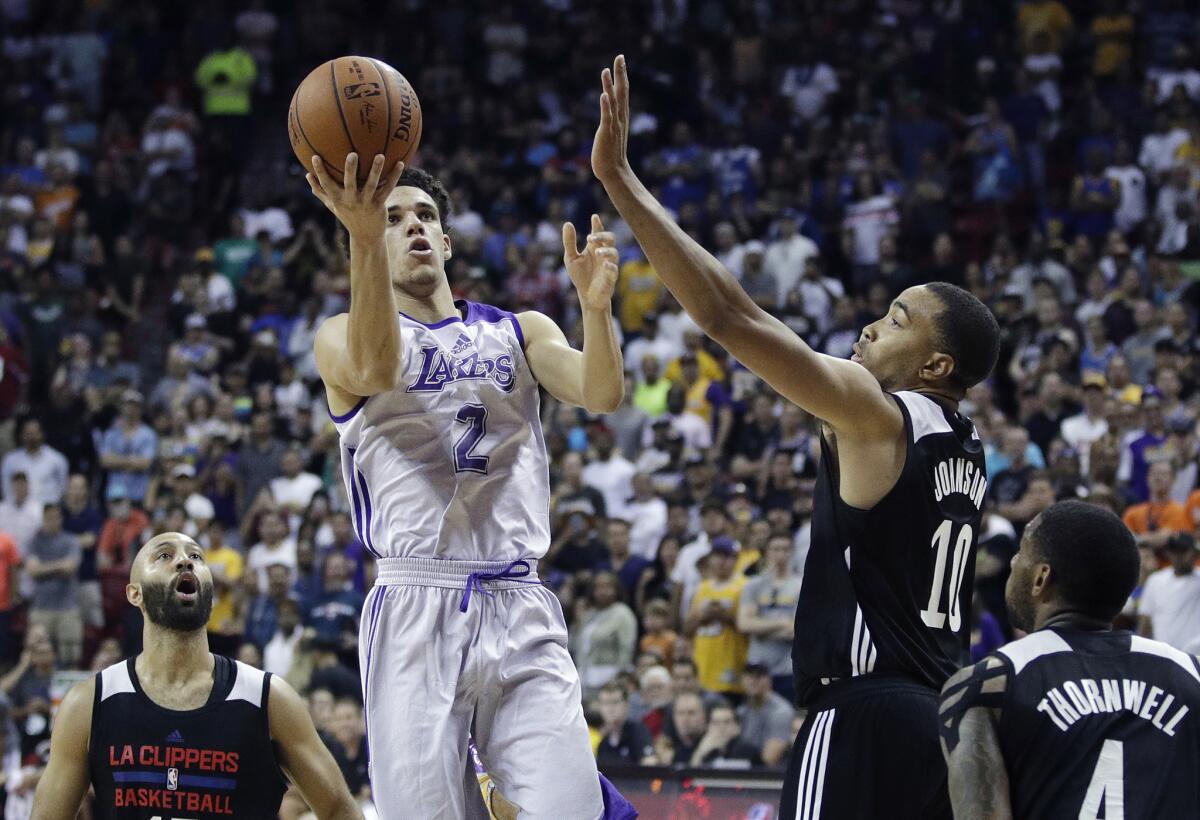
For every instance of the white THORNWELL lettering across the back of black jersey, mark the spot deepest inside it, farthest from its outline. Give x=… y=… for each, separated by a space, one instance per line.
x=1076 y=701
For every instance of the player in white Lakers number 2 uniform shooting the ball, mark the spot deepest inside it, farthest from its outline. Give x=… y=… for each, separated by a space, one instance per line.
x=436 y=404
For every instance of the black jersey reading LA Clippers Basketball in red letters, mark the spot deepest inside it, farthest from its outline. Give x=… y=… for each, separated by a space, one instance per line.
x=208 y=764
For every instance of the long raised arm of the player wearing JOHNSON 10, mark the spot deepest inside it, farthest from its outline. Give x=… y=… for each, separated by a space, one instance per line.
x=842 y=393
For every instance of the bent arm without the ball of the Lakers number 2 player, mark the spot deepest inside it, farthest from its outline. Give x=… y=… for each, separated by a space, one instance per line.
x=595 y=379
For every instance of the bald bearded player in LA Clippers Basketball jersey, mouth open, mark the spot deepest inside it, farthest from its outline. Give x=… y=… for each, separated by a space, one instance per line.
x=178 y=732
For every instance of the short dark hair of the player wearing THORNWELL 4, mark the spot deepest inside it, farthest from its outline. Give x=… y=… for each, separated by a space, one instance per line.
x=1093 y=555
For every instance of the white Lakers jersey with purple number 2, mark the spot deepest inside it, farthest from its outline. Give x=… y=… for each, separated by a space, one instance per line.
x=452 y=464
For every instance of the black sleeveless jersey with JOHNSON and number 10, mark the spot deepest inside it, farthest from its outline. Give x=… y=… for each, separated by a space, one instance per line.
x=887 y=591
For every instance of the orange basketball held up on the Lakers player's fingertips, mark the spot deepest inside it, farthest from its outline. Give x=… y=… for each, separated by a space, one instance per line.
x=355 y=104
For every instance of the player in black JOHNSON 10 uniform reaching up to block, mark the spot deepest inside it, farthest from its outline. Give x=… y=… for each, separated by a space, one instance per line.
x=884 y=617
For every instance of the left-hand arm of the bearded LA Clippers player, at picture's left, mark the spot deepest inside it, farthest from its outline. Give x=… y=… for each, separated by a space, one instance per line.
x=65 y=781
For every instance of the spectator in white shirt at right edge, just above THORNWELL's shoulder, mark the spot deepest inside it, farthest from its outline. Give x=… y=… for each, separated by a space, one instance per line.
x=1171 y=602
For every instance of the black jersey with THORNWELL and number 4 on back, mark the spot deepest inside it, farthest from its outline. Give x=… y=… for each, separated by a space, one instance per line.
x=1100 y=726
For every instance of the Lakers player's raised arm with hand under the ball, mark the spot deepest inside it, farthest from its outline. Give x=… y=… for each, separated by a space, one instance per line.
x=358 y=355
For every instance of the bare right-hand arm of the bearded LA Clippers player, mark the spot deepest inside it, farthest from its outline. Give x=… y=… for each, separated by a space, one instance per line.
x=305 y=759
